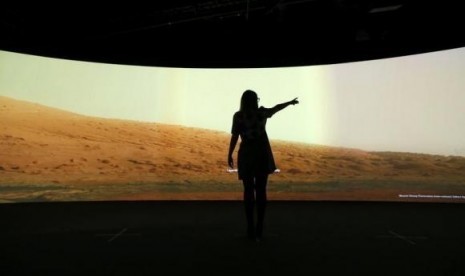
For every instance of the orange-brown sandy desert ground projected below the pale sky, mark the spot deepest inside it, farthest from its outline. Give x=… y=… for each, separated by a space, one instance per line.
x=48 y=154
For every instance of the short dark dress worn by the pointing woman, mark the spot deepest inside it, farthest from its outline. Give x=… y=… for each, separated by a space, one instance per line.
x=255 y=156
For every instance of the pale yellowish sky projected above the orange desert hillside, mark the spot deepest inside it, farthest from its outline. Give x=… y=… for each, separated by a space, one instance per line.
x=411 y=104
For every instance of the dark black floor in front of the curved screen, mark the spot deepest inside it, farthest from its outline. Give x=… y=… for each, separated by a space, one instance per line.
x=207 y=238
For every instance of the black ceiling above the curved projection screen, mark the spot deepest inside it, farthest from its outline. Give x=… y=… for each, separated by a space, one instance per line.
x=231 y=33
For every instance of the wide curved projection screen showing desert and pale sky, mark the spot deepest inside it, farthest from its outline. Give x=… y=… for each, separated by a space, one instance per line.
x=388 y=130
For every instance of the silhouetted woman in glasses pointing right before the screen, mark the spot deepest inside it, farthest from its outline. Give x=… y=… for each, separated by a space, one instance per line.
x=255 y=159
